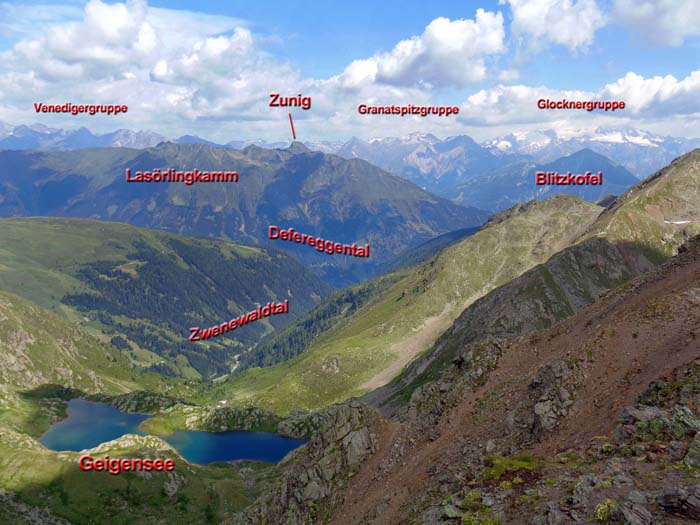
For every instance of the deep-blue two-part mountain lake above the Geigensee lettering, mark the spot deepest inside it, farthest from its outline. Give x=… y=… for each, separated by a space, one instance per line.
x=89 y=424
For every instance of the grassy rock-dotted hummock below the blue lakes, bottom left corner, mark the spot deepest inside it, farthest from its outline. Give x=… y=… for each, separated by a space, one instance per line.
x=46 y=479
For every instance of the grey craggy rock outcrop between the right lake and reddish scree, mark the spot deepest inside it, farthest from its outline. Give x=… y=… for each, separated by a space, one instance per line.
x=312 y=474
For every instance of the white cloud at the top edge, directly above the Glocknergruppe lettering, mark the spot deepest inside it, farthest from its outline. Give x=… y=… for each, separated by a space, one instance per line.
x=568 y=23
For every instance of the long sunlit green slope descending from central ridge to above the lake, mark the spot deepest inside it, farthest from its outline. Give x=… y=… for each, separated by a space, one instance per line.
x=381 y=337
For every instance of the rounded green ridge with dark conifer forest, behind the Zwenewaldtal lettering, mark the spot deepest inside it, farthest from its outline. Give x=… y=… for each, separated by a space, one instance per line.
x=146 y=288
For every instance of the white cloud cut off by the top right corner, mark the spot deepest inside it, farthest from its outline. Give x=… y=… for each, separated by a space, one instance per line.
x=666 y=22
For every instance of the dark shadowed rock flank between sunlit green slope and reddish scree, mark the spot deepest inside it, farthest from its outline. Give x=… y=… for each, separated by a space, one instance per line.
x=542 y=296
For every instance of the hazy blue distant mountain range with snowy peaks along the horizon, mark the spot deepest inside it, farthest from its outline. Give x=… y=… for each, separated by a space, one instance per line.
x=423 y=158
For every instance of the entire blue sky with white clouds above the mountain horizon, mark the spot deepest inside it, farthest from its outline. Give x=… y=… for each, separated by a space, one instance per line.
x=208 y=68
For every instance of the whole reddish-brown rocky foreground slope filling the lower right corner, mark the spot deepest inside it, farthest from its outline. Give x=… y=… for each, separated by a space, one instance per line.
x=594 y=419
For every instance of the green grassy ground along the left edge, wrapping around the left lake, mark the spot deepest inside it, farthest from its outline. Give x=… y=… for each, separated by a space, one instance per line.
x=39 y=348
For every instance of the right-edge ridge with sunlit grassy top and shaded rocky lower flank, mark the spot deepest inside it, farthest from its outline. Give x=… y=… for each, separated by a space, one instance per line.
x=635 y=225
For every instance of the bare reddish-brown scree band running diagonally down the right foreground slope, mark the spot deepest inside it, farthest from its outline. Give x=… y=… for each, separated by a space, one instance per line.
x=635 y=335
